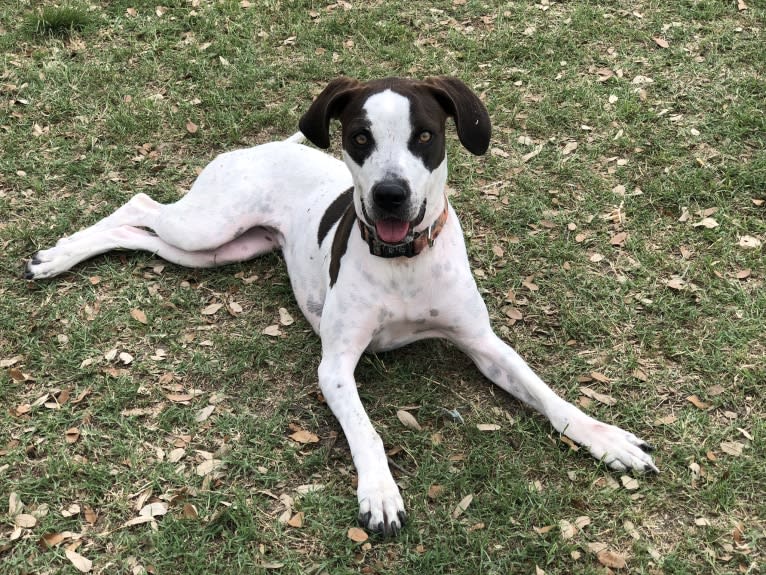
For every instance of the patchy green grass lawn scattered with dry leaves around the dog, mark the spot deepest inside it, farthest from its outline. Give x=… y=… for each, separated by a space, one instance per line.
x=95 y=108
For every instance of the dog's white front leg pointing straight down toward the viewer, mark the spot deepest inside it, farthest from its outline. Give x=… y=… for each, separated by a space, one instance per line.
x=381 y=508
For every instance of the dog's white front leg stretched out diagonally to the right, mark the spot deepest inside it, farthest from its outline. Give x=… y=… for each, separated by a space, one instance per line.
x=617 y=448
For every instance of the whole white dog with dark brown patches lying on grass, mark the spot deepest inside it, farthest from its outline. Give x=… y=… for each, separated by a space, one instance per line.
x=374 y=251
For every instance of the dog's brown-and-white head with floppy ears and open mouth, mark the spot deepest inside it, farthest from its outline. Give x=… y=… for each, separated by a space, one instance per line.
x=394 y=144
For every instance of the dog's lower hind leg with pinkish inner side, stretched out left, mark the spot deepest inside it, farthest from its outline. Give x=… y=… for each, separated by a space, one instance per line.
x=62 y=257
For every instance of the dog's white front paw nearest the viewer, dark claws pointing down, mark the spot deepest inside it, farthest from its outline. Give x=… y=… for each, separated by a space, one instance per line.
x=381 y=509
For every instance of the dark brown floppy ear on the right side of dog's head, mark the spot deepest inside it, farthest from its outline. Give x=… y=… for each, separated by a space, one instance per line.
x=471 y=118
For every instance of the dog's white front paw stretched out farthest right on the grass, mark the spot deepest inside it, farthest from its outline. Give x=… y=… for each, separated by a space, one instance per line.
x=617 y=448
